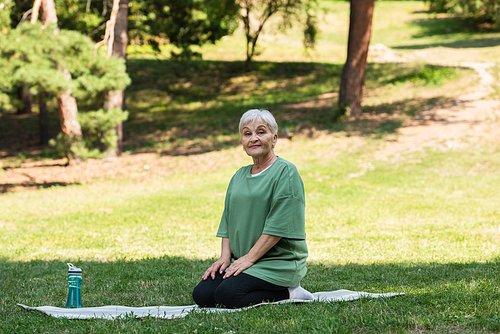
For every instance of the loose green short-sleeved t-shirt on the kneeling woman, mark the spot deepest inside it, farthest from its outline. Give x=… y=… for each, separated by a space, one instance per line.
x=270 y=203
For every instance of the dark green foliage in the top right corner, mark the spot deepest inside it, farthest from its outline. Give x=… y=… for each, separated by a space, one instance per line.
x=481 y=12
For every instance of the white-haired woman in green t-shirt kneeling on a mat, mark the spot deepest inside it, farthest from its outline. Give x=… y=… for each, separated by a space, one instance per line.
x=263 y=251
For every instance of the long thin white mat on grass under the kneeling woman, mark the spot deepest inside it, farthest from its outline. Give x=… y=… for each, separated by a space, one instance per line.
x=170 y=312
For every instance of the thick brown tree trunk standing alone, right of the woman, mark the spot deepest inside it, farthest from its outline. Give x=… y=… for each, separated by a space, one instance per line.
x=353 y=75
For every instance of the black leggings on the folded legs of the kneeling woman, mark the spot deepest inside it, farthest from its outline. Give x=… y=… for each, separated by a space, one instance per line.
x=237 y=291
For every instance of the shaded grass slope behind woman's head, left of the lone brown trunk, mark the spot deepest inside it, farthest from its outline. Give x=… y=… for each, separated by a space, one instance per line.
x=205 y=99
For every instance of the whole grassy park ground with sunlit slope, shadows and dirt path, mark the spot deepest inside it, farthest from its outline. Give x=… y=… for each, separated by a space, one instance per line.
x=402 y=199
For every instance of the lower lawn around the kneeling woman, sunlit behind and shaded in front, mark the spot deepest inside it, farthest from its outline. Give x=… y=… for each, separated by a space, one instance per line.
x=426 y=225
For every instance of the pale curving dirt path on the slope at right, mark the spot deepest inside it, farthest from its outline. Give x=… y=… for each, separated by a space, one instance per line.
x=467 y=119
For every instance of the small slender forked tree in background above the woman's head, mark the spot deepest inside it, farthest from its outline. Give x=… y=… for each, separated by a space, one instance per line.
x=255 y=14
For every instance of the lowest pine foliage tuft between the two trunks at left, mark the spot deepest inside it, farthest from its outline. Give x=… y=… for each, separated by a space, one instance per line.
x=98 y=128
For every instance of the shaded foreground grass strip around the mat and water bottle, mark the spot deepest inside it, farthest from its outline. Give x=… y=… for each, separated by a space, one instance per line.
x=437 y=295
